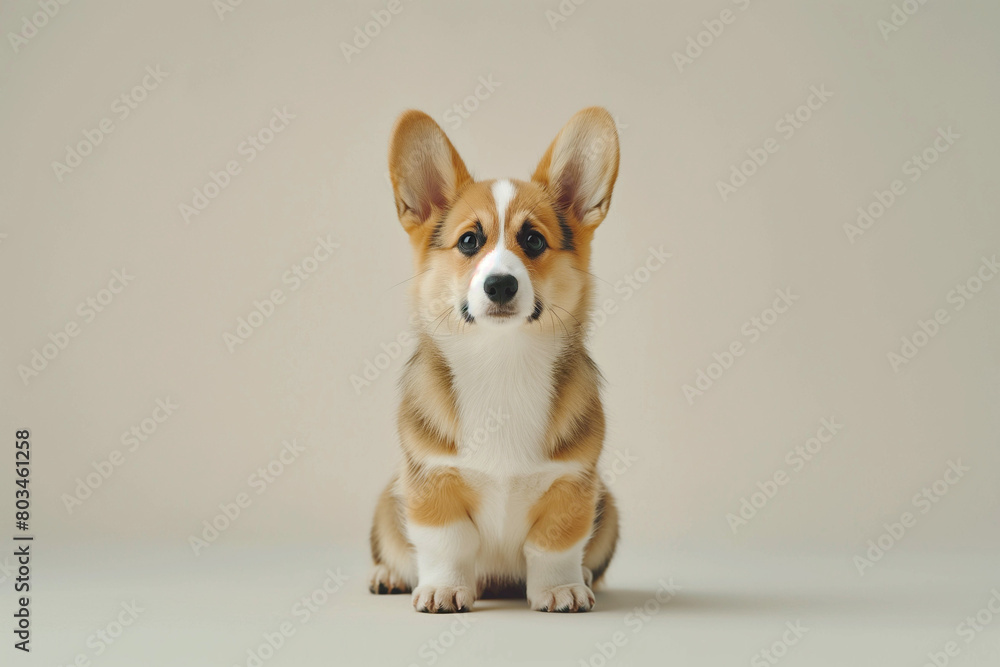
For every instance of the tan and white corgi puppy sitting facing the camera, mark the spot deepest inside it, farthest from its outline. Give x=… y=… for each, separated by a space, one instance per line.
x=500 y=422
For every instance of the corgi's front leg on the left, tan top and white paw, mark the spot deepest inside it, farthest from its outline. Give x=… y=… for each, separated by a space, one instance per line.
x=446 y=543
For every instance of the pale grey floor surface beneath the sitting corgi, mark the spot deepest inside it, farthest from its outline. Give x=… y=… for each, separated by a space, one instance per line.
x=212 y=609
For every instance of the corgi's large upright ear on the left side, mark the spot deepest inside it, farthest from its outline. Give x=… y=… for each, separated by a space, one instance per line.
x=425 y=168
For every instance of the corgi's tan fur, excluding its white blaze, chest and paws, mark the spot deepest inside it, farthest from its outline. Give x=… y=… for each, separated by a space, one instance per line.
x=437 y=202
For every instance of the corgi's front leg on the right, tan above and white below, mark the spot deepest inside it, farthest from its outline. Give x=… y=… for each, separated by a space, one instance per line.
x=562 y=521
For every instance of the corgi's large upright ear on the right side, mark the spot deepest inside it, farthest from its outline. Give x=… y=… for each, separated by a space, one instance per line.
x=581 y=165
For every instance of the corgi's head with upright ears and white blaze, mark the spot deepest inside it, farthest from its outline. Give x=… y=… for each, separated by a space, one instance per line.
x=505 y=253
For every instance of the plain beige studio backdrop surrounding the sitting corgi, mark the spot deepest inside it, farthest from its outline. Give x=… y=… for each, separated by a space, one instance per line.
x=324 y=175
